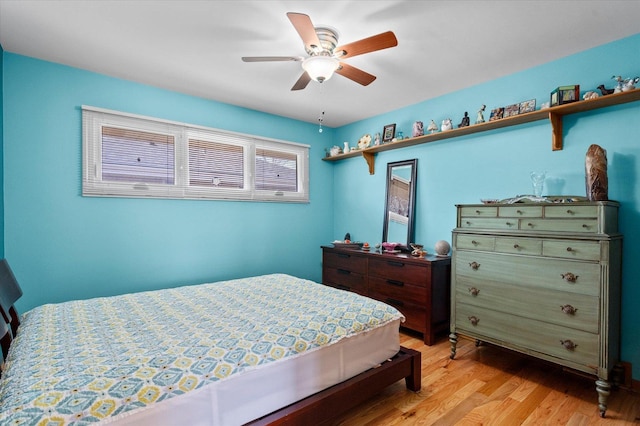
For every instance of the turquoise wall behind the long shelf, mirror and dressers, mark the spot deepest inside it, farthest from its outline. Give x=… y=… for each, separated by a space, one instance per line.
x=496 y=164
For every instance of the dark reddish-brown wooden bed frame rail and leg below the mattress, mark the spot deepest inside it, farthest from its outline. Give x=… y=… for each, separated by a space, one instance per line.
x=336 y=400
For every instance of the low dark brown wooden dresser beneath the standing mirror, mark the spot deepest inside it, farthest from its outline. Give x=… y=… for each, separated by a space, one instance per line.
x=417 y=287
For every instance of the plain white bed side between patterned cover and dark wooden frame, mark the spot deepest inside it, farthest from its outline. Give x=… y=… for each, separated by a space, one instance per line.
x=258 y=392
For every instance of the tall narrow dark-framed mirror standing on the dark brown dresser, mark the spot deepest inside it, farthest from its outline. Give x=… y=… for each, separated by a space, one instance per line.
x=400 y=202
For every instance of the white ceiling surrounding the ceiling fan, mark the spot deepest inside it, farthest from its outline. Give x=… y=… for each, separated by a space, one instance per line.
x=194 y=47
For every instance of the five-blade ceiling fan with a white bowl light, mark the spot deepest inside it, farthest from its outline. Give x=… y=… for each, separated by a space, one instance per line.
x=325 y=56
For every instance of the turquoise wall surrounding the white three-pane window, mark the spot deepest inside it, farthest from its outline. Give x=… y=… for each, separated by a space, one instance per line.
x=64 y=246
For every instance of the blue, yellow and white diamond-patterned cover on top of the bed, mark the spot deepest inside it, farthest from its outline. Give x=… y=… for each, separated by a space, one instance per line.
x=80 y=362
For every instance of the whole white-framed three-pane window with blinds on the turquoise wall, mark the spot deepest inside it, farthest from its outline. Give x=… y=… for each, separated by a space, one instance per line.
x=132 y=156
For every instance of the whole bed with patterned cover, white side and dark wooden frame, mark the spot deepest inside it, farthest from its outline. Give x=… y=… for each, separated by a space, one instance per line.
x=272 y=349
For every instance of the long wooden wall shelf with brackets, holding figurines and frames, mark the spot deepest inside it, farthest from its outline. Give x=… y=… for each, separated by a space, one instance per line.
x=553 y=114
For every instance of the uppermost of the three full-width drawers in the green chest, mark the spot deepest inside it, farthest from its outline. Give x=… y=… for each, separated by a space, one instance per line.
x=551 y=274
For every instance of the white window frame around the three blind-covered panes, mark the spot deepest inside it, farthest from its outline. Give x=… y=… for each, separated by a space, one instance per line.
x=92 y=185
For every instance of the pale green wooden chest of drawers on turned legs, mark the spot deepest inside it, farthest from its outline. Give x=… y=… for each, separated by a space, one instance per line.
x=541 y=279
